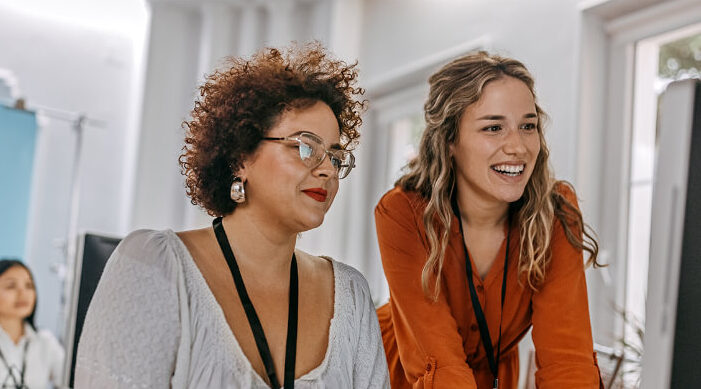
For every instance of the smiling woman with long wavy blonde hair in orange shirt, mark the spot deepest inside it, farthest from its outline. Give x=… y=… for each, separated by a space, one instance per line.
x=480 y=243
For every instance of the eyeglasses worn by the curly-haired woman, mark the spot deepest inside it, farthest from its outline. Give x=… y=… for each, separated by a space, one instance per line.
x=312 y=152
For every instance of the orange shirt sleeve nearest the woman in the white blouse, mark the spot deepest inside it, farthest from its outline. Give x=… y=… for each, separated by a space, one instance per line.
x=430 y=347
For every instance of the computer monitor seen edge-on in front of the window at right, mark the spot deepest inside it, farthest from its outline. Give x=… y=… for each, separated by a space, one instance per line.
x=673 y=313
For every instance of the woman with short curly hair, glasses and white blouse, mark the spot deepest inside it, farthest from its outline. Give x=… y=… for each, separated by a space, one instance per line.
x=236 y=305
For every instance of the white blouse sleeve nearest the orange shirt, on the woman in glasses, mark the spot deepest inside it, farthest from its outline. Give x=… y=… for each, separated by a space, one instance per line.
x=370 y=365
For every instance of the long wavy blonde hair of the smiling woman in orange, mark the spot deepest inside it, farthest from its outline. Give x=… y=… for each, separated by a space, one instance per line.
x=431 y=174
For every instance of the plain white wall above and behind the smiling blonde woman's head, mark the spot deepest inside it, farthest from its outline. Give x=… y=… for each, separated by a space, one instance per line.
x=540 y=33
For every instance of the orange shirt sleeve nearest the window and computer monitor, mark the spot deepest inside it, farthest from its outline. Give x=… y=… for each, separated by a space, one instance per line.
x=561 y=327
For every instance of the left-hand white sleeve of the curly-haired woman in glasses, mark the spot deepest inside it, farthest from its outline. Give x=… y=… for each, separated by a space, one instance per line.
x=131 y=331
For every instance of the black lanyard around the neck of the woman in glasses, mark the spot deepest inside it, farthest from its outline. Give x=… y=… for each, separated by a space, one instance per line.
x=258 y=334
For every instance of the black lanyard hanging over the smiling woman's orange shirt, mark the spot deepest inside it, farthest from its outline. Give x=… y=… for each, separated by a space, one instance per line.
x=479 y=313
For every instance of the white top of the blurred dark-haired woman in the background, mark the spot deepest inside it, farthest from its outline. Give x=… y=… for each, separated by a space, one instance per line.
x=44 y=359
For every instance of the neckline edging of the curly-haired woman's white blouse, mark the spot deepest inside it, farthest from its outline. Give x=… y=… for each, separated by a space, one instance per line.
x=221 y=318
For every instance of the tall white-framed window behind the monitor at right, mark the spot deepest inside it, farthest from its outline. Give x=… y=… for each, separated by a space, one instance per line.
x=630 y=52
